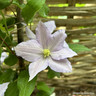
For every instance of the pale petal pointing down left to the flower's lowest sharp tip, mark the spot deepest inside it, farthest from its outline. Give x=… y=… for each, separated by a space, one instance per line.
x=36 y=67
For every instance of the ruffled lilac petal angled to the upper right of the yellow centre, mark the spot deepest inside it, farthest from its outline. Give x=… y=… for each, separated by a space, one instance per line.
x=57 y=40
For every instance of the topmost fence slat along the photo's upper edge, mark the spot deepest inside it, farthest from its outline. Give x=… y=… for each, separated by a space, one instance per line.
x=66 y=1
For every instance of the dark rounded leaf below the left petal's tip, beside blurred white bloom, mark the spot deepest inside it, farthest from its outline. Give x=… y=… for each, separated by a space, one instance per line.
x=11 y=60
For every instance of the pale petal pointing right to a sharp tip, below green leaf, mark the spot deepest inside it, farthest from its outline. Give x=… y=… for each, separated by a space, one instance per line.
x=63 y=53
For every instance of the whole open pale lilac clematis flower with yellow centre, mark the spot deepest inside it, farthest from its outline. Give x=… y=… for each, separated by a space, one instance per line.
x=46 y=49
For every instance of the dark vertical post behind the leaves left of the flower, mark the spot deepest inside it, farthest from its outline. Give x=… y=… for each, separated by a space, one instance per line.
x=20 y=33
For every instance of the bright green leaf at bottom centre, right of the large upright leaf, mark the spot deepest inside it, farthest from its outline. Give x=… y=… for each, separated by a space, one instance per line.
x=43 y=87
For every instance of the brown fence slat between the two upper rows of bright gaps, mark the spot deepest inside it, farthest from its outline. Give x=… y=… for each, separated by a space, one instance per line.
x=75 y=11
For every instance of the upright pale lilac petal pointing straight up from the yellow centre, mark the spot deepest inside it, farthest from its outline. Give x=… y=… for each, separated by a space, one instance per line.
x=42 y=34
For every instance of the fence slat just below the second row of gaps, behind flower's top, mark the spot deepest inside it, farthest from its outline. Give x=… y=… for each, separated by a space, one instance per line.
x=73 y=22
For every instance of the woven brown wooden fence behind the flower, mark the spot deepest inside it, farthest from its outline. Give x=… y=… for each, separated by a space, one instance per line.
x=81 y=27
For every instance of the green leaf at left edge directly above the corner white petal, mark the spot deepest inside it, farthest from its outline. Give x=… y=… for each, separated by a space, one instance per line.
x=7 y=76
